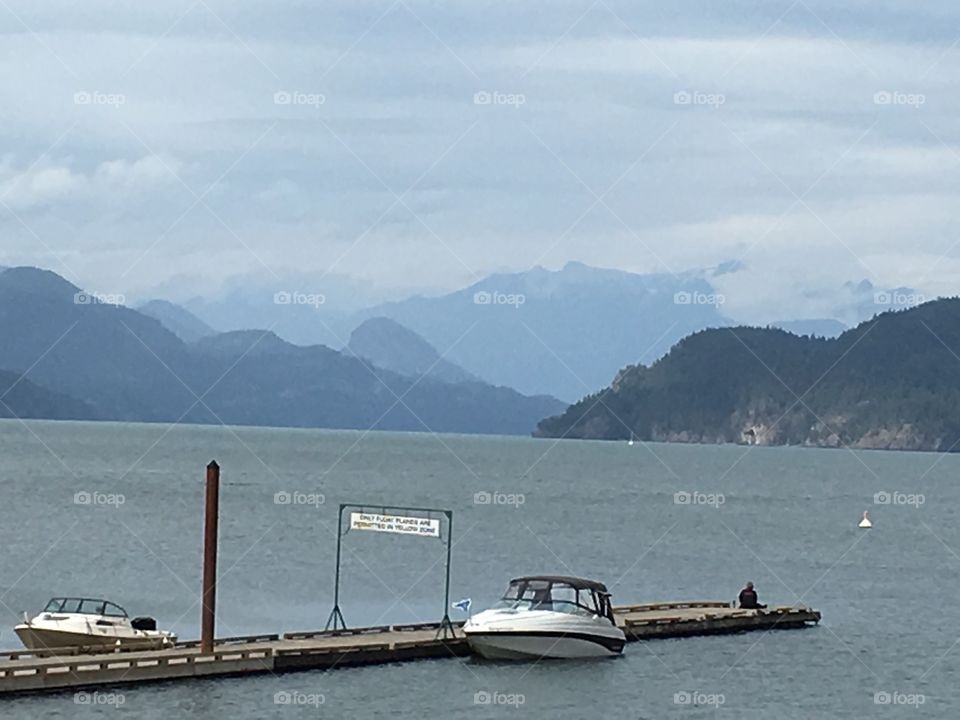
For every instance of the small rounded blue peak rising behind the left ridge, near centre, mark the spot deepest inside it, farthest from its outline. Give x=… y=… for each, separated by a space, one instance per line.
x=391 y=346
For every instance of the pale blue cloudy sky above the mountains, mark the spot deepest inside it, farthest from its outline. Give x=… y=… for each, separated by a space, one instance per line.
x=179 y=146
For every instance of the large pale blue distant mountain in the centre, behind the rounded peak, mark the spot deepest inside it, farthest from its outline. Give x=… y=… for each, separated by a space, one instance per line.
x=562 y=333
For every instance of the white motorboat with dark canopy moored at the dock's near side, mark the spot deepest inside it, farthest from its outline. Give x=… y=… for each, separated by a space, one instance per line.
x=547 y=616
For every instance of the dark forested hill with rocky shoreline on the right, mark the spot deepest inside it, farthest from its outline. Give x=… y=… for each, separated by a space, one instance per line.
x=891 y=382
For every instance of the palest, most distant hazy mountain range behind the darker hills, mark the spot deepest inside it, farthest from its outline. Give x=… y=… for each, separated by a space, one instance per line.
x=558 y=332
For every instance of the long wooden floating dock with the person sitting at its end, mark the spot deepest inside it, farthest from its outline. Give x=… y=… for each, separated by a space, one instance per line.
x=47 y=671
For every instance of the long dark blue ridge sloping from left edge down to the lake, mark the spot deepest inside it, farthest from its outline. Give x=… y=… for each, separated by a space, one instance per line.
x=128 y=366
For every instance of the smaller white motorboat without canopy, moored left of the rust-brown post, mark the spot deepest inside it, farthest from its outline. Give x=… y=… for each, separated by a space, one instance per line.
x=88 y=622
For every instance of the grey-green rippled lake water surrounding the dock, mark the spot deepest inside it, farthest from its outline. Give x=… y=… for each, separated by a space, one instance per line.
x=787 y=521
